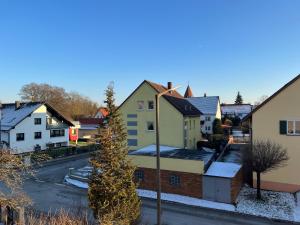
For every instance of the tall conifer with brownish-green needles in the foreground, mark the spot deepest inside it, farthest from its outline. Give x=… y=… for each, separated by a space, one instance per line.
x=112 y=191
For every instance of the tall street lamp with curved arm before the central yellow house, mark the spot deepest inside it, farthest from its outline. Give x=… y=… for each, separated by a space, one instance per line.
x=157 y=110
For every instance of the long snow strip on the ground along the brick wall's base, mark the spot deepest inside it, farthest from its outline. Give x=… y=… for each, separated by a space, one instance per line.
x=186 y=200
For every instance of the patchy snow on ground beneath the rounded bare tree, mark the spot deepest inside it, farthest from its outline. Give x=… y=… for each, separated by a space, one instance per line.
x=276 y=205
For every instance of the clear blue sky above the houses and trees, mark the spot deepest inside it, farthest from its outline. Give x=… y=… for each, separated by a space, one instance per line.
x=218 y=46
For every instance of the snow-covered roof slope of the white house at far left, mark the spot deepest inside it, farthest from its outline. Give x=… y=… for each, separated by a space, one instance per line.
x=12 y=116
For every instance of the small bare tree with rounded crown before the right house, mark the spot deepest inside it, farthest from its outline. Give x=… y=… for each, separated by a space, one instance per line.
x=266 y=156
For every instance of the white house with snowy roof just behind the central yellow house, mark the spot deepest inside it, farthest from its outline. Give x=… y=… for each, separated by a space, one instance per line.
x=211 y=109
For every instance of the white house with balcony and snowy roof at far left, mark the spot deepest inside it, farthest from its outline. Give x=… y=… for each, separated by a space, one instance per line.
x=33 y=126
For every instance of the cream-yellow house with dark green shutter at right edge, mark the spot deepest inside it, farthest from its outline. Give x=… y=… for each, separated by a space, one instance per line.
x=278 y=119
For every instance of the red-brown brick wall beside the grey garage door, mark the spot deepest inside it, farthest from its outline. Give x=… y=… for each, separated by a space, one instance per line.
x=190 y=183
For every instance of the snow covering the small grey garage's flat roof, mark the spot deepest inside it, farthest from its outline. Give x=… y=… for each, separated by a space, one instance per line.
x=222 y=169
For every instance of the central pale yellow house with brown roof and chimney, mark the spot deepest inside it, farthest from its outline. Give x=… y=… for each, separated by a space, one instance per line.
x=179 y=119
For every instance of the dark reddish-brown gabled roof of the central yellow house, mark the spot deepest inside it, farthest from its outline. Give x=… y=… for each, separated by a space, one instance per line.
x=174 y=98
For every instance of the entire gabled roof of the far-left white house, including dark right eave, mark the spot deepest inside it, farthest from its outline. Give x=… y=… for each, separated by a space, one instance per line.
x=12 y=116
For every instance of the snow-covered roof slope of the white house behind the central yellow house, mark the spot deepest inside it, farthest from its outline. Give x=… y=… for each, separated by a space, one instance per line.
x=207 y=105
